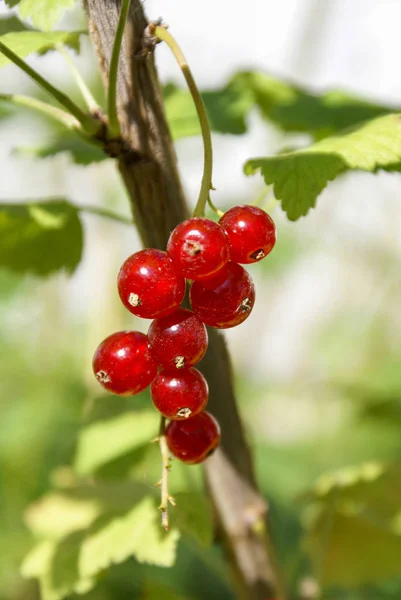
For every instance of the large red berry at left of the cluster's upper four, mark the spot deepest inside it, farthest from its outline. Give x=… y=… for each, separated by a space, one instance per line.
x=149 y=285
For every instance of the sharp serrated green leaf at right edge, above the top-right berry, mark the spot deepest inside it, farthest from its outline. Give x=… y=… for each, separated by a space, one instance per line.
x=299 y=177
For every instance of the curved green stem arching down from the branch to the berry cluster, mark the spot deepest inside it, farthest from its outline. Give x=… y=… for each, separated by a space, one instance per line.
x=162 y=33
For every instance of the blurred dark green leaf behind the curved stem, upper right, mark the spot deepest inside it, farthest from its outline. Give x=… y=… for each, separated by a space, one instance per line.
x=288 y=106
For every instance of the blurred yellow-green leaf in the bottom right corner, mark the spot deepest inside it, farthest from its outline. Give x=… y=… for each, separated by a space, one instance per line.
x=354 y=535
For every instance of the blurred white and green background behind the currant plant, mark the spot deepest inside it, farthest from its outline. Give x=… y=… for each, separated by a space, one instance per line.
x=318 y=365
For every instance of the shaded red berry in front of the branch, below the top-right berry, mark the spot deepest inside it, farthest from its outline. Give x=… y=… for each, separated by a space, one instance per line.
x=226 y=300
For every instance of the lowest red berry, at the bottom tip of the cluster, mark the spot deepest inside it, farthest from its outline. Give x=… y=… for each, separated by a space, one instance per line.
x=193 y=440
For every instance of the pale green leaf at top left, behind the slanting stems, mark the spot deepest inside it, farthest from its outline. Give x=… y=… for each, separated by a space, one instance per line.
x=24 y=43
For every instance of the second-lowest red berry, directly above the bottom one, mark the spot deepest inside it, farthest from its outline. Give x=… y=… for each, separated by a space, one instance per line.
x=179 y=395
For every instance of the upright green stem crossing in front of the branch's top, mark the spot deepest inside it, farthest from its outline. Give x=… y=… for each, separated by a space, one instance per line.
x=114 y=124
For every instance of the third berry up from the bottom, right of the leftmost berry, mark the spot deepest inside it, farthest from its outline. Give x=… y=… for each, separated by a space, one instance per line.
x=178 y=340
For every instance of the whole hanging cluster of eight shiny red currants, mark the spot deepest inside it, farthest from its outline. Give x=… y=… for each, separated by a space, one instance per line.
x=151 y=284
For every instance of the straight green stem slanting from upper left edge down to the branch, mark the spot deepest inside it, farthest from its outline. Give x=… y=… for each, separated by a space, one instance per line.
x=89 y=124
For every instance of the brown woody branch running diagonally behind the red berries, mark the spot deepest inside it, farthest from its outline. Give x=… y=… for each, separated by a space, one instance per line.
x=150 y=174
